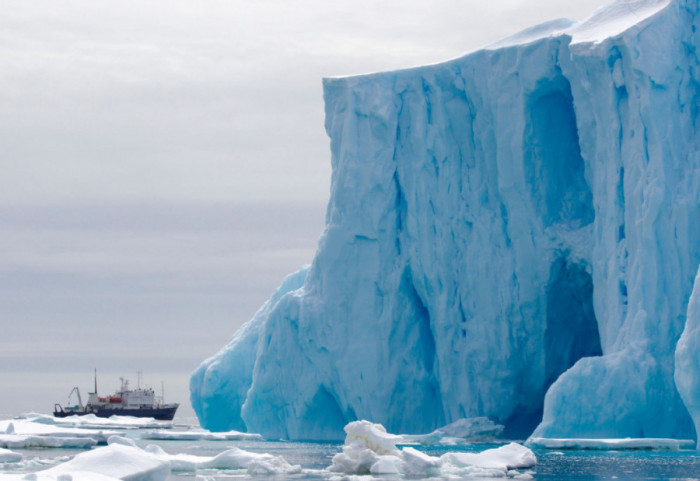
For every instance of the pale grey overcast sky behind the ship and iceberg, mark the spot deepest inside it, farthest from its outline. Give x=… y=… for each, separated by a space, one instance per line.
x=164 y=166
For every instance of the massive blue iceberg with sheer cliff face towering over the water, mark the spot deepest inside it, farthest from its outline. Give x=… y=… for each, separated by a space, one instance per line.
x=512 y=234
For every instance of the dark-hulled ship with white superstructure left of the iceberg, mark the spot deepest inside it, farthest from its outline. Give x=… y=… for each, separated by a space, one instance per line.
x=138 y=402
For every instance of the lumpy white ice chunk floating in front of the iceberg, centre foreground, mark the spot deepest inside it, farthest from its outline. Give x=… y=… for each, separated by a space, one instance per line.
x=369 y=449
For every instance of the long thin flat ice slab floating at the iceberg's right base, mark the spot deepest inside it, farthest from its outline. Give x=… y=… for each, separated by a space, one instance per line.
x=613 y=444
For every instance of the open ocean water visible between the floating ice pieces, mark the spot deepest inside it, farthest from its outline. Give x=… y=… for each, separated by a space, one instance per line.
x=314 y=457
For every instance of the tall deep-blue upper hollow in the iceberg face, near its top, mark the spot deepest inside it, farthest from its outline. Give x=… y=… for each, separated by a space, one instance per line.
x=552 y=155
